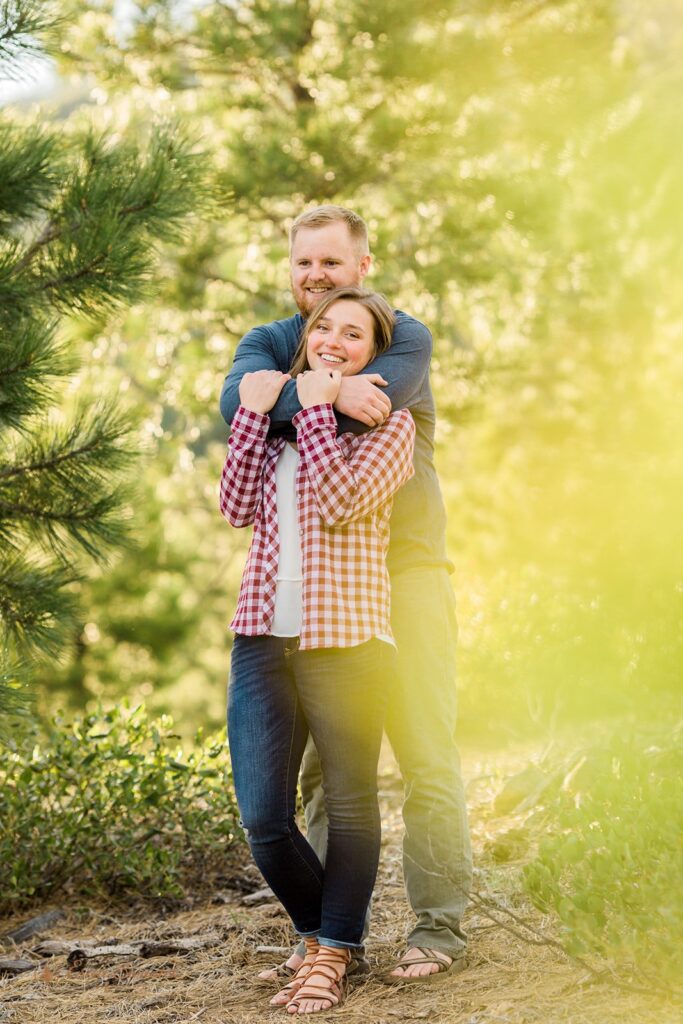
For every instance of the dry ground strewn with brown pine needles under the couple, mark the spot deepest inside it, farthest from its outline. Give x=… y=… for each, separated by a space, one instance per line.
x=507 y=980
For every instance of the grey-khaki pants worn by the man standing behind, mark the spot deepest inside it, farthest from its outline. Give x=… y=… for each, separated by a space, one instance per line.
x=420 y=724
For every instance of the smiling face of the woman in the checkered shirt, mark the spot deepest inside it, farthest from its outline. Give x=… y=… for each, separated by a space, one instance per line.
x=344 y=339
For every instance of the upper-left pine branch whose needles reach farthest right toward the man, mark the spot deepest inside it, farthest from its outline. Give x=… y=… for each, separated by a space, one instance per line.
x=97 y=250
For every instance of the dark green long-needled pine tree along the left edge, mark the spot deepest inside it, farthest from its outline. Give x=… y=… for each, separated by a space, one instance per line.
x=80 y=220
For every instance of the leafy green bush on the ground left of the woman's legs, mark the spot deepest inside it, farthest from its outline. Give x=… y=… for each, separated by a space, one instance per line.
x=110 y=805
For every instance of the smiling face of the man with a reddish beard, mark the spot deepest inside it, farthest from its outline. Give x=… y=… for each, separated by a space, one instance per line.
x=323 y=259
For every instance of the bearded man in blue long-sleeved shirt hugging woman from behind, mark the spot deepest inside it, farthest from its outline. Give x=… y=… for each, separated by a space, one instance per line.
x=329 y=249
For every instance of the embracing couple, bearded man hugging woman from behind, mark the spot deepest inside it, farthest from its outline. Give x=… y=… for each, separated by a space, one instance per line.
x=346 y=620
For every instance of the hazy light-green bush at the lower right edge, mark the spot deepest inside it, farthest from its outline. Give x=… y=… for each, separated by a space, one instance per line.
x=611 y=866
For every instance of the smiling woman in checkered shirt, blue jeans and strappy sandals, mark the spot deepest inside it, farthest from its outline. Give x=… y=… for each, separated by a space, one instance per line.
x=313 y=635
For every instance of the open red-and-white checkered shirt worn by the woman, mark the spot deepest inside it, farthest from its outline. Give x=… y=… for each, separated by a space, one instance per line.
x=346 y=488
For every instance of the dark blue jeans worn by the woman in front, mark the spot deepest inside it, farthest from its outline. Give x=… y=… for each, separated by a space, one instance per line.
x=277 y=696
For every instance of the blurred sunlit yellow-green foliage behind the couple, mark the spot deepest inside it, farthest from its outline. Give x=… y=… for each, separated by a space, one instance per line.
x=518 y=163
